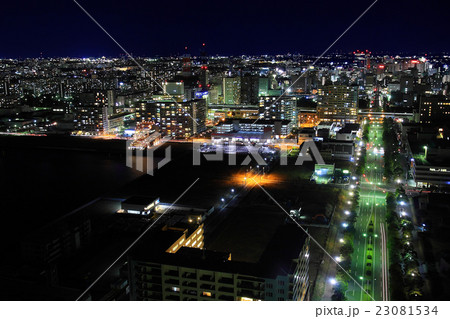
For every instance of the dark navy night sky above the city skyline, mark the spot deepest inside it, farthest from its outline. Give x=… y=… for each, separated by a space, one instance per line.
x=150 y=28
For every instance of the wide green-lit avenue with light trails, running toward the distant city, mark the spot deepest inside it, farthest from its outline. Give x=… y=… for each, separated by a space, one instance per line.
x=370 y=260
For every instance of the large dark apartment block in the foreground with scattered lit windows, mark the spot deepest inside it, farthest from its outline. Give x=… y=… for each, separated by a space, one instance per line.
x=173 y=270
